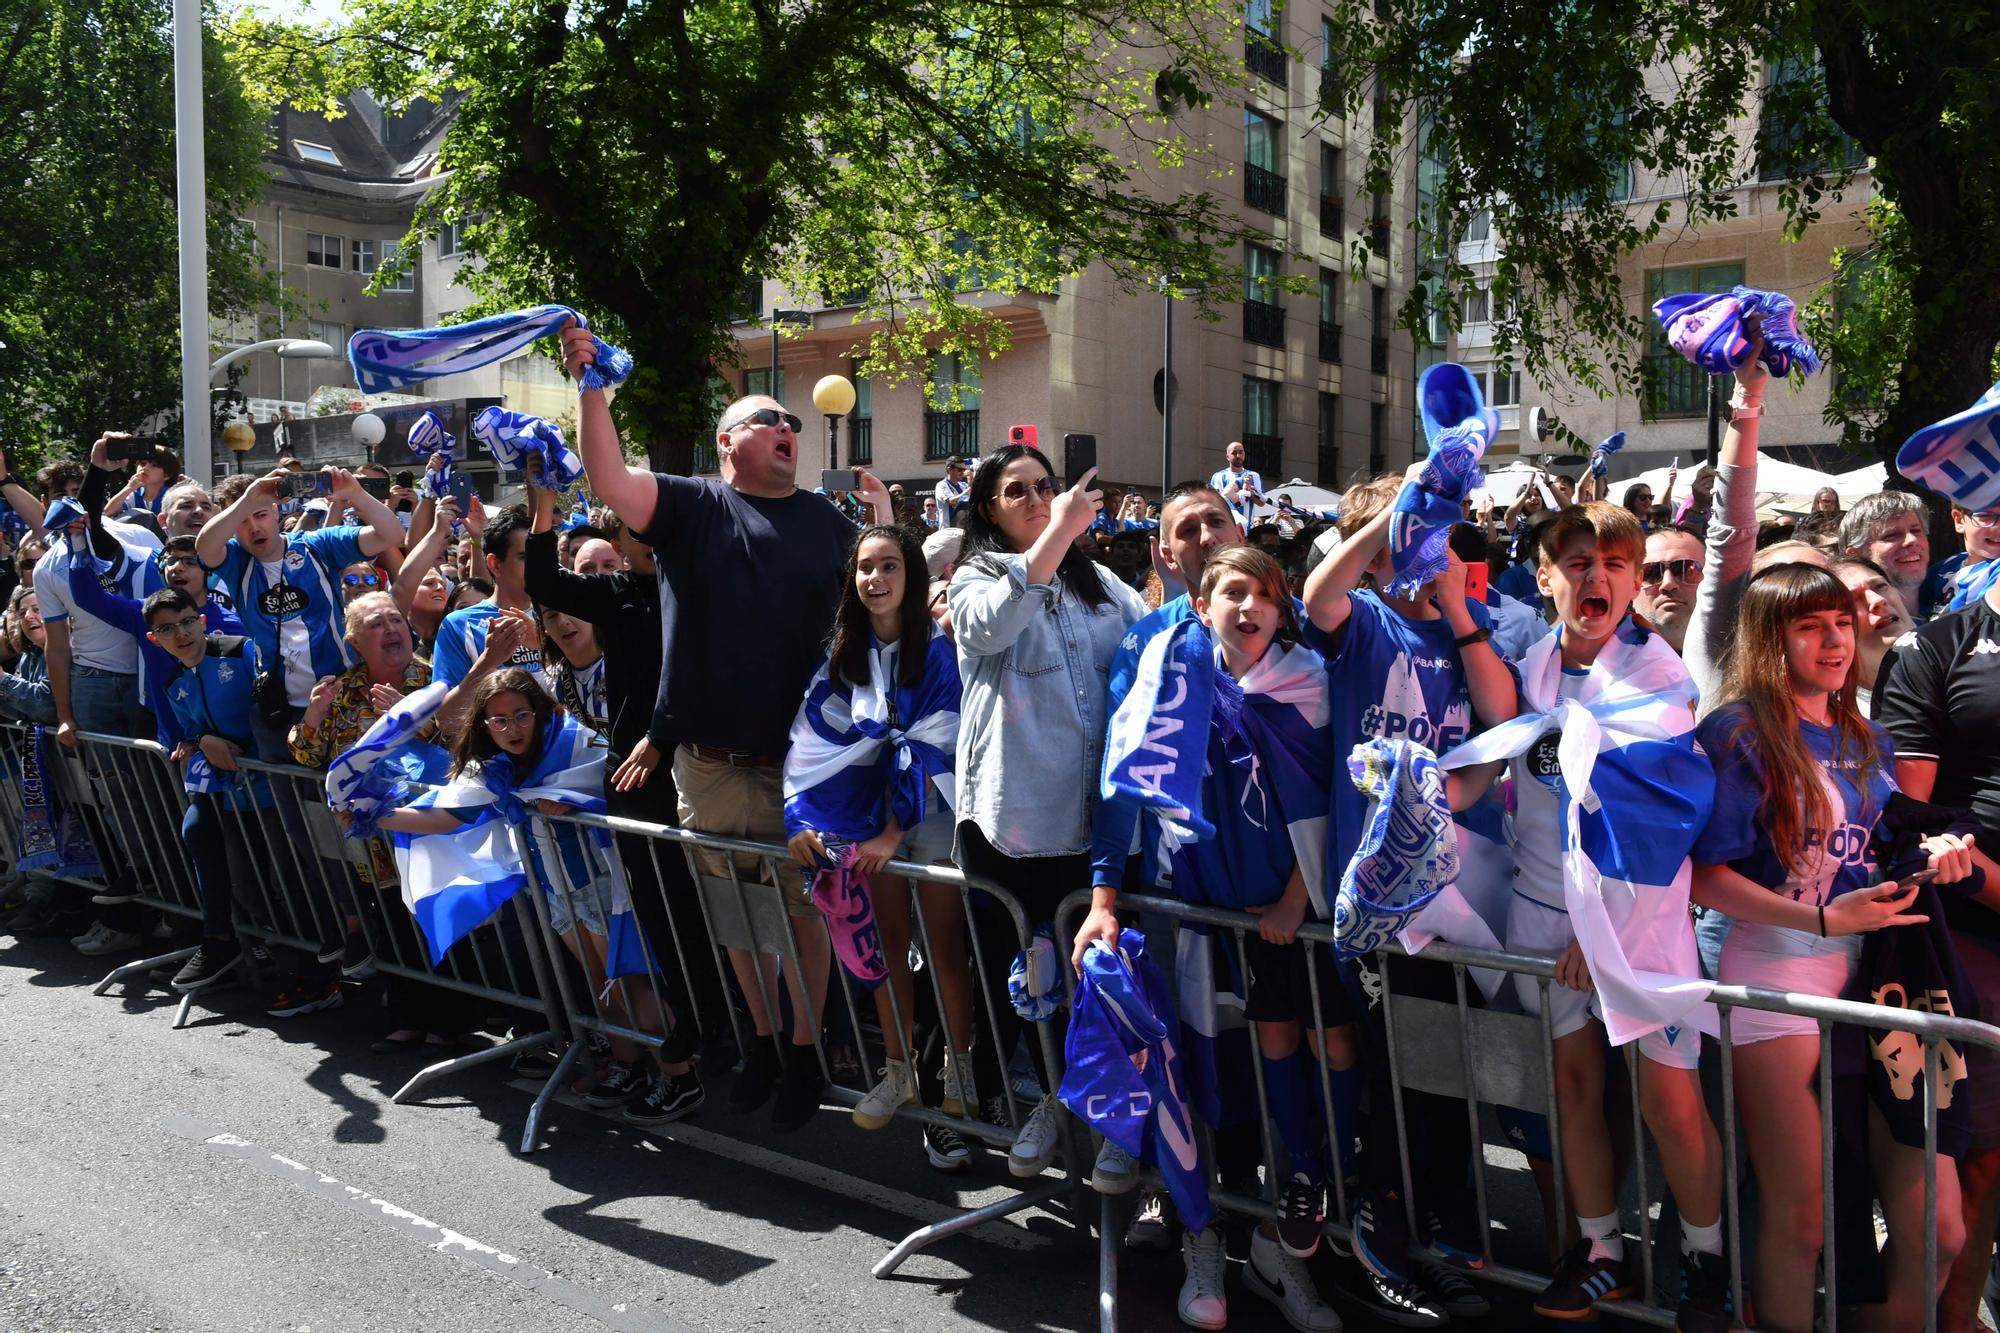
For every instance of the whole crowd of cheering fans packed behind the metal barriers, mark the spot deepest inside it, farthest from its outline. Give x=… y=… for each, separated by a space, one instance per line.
x=705 y=631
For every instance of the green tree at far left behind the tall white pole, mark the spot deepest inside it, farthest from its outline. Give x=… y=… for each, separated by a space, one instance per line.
x=89 y=271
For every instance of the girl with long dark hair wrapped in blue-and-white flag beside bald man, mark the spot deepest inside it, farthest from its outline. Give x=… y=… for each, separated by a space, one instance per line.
x=869 y=780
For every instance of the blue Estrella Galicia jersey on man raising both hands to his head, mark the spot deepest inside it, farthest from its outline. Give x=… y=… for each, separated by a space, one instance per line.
x=299 y=591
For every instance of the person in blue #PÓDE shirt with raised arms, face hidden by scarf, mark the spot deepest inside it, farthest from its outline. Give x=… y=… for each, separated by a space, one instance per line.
x=1423 y=670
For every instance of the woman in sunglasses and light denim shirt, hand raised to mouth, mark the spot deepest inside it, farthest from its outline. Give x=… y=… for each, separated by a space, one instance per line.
x=1037 y=625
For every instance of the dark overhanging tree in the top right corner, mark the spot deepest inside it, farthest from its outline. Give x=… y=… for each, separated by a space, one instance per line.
x=1545 y=141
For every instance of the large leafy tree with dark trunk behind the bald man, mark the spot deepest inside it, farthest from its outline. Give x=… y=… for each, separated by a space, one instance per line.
x=647 y=161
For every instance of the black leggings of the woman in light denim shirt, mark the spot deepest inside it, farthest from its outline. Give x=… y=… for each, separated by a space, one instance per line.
x=1039 y=884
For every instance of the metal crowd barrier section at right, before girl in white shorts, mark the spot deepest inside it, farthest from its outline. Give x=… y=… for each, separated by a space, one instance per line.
x=1481 y=1056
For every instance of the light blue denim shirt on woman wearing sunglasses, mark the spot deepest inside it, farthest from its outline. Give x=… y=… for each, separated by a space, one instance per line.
x=1035 y=665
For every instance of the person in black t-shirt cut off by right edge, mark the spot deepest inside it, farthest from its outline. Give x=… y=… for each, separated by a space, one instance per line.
x=1939 y=696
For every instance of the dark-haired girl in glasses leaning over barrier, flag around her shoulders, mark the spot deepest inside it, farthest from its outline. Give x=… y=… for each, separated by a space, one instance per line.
x=517 y=744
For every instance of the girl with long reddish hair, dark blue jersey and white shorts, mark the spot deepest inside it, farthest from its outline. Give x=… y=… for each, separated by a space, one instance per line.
x=1791 y=854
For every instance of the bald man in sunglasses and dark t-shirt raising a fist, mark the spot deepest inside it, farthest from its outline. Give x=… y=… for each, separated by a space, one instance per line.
x=749 y=577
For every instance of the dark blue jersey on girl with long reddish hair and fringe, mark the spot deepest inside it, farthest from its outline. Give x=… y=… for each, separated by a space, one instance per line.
x=1839 y=858
